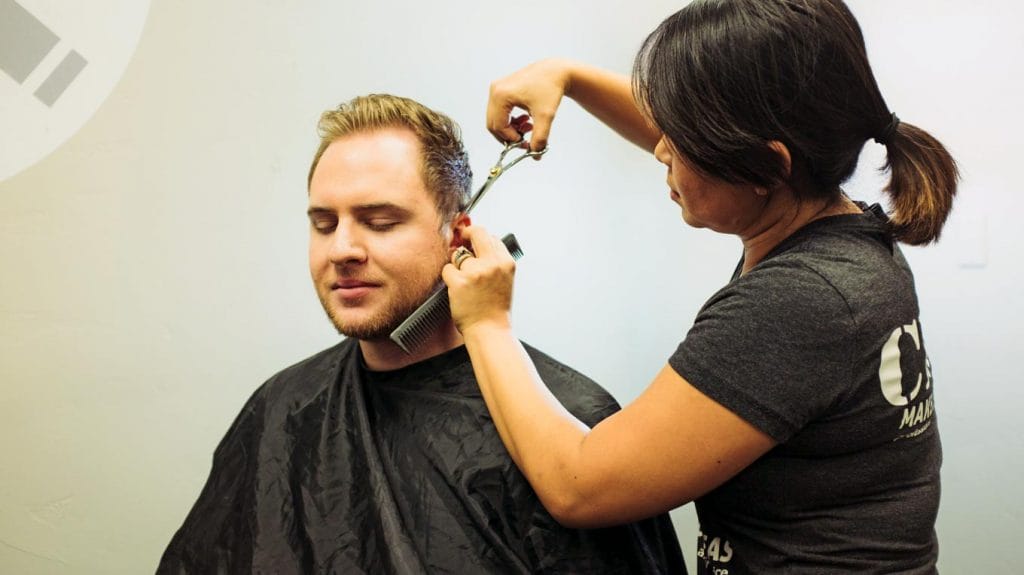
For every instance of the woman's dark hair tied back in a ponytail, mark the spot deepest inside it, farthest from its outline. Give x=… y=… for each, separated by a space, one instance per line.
x=724 y=78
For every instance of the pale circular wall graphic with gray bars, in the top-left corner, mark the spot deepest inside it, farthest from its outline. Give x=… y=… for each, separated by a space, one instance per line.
x=59 y=62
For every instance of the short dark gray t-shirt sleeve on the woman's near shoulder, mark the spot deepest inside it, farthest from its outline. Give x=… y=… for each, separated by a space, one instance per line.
x=772 y=347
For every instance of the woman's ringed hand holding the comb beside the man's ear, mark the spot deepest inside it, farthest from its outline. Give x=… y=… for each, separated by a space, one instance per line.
x=481 y=287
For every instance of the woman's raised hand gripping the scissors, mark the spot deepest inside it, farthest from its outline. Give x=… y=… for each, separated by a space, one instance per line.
x=538 y=90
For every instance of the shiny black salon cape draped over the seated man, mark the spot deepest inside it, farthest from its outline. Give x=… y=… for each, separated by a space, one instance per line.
x=333 y=469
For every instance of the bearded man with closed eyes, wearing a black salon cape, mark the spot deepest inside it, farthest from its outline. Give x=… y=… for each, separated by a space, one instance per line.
x=364 y=459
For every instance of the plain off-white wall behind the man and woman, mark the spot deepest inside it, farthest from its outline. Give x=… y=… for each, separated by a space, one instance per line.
x=154 y=264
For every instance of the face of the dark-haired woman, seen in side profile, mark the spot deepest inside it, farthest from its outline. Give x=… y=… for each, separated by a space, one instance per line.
x=709 y=202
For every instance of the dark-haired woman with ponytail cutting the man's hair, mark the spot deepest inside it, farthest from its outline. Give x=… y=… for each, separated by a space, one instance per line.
x=798 y=412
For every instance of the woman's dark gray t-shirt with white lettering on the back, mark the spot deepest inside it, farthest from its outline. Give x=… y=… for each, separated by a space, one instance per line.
x=821 y=347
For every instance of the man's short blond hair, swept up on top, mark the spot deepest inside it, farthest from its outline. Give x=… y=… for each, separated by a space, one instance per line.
x=446 y=165
